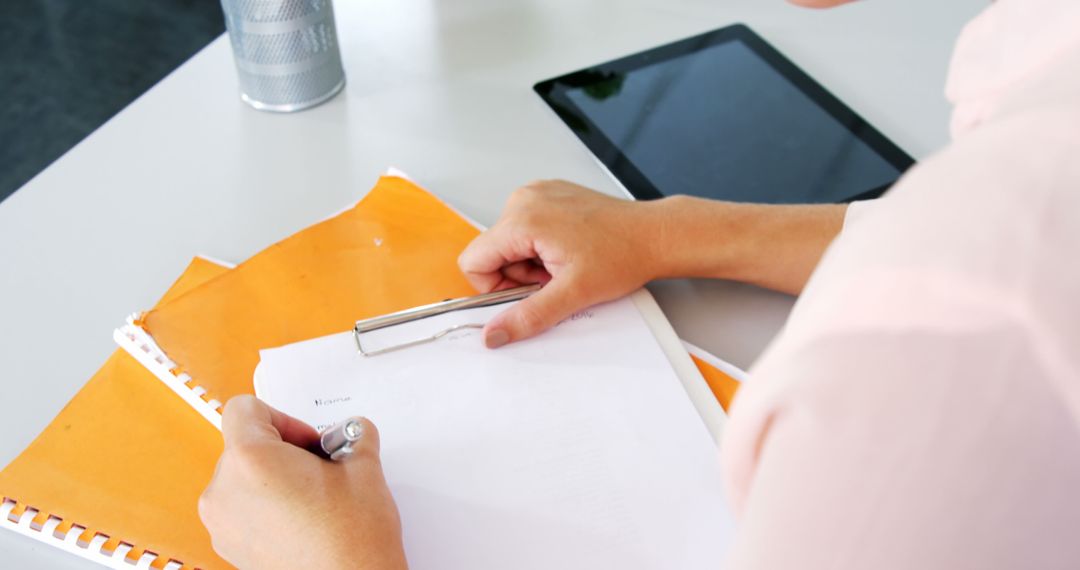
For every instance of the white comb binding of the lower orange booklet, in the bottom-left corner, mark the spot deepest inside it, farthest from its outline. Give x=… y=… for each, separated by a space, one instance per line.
x=94 y=550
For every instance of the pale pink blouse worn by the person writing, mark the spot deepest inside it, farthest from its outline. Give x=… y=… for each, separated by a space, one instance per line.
x=922 y=408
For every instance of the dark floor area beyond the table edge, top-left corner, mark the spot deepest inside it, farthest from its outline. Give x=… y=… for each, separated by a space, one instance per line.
x=67 y=66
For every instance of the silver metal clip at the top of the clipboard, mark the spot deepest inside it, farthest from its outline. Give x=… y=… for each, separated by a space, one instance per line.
x=410 y=316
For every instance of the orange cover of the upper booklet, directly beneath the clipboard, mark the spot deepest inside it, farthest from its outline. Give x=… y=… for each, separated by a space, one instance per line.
x=396 y=250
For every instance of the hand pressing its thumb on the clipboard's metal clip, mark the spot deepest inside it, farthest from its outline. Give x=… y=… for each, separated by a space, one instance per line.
x=587 y=249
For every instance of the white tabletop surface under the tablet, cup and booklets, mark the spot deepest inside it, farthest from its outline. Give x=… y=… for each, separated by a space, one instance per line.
x=441 y=89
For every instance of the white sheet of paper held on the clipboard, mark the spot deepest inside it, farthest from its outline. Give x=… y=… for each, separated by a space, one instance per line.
x=577 y=450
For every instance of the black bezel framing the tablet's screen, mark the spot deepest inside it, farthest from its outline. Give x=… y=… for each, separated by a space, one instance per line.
x=553 y=92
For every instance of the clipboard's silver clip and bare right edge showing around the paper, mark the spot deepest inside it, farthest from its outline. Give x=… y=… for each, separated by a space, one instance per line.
x=694 y=383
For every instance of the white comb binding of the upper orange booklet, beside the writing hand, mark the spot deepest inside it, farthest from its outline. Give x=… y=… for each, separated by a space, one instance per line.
x=139 y=344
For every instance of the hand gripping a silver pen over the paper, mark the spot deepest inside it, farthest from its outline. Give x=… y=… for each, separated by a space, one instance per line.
x=275 y=505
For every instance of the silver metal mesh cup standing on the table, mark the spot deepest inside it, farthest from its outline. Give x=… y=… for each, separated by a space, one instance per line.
x=287 y=52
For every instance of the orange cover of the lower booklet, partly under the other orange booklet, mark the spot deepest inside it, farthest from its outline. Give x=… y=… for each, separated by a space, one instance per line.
x=126 y=458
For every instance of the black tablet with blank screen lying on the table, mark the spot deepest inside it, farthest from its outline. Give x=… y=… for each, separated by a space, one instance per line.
x=724 y=116
